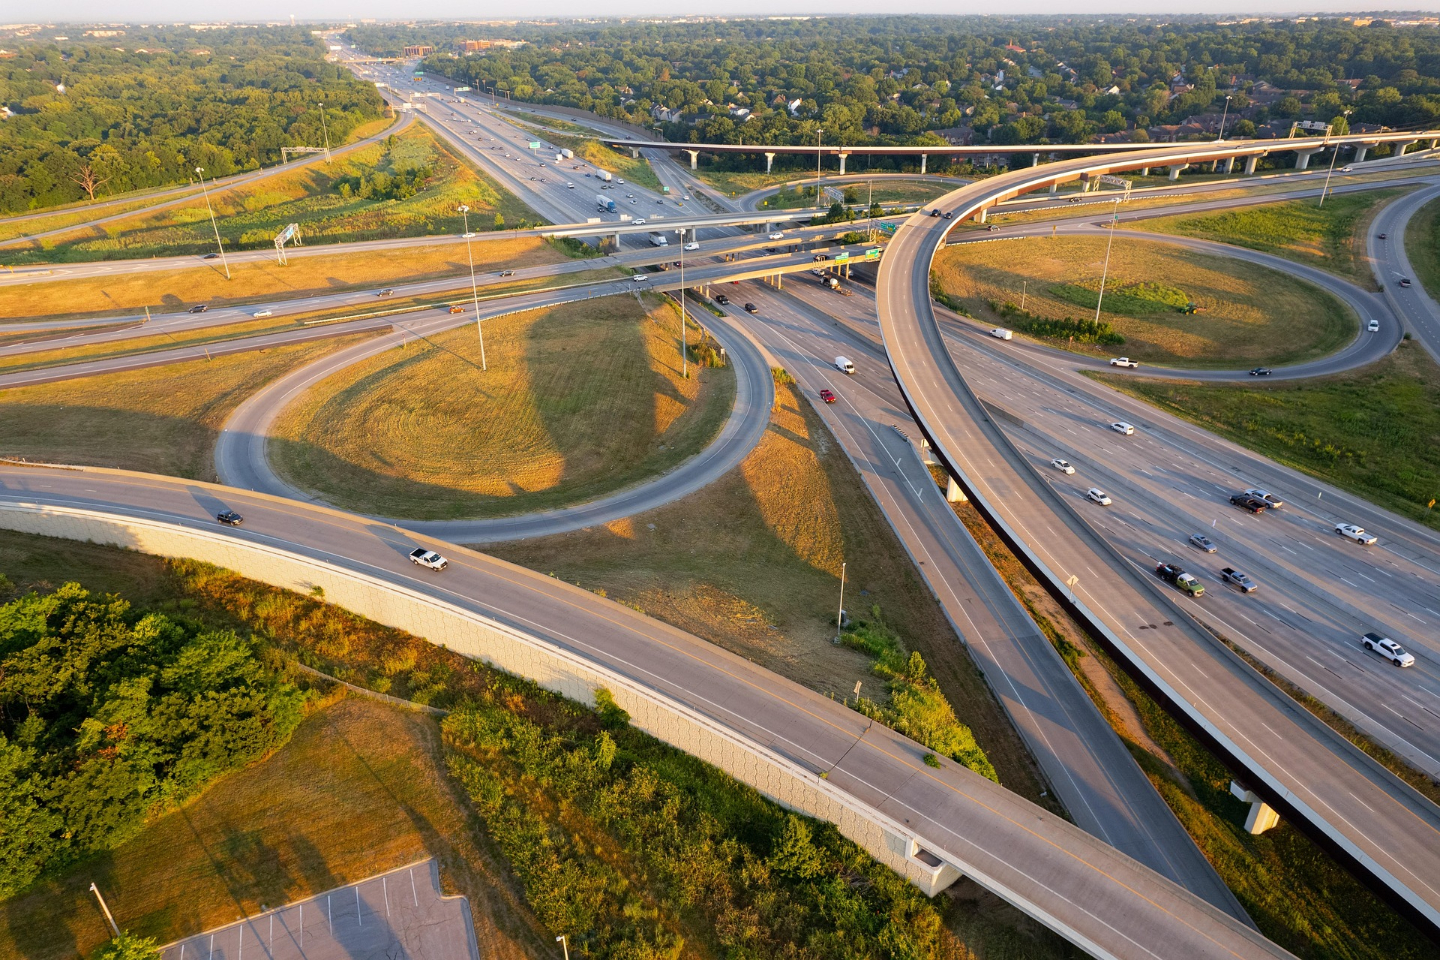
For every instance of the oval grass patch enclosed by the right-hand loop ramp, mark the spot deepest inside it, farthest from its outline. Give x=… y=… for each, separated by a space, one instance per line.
x=1252 y=314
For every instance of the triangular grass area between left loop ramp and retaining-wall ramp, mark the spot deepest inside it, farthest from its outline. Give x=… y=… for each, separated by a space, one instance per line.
x=752 y=563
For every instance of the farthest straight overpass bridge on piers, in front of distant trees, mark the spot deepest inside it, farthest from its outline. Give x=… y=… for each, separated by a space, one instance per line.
x=1302 y=148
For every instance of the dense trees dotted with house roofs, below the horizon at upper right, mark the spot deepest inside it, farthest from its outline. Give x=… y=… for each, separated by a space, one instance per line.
x=888 y=80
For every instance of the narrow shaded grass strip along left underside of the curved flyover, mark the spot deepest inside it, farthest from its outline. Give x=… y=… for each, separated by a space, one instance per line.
x=1297 y=895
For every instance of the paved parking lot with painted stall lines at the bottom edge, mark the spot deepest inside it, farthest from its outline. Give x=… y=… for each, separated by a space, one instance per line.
x=397 y=916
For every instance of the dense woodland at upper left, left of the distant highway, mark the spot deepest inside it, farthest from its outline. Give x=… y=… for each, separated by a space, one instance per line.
x=91 y=120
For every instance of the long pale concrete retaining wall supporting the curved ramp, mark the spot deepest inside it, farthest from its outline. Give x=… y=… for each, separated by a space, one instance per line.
x=531 y=657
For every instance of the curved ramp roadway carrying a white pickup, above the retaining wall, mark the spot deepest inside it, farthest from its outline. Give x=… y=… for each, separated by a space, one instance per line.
x=1095 y=896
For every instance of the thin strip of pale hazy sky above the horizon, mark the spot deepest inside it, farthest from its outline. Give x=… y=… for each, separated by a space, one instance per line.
x=143 y=11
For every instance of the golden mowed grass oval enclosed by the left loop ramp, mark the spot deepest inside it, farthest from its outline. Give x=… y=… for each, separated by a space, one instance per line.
x=580 y=401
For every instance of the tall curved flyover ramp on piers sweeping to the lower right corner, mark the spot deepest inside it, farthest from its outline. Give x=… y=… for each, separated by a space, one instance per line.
x=1311 y=774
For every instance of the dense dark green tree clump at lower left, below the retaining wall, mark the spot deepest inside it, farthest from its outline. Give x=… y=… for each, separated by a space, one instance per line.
x=109 y=716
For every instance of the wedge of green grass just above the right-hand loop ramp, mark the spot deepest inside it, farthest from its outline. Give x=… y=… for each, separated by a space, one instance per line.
x=1331 y=238
